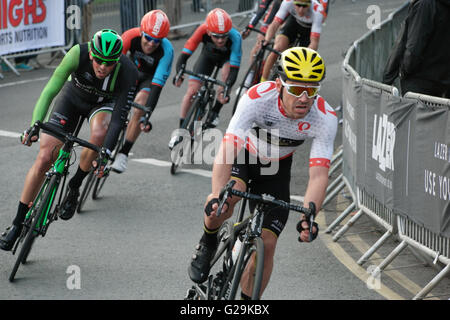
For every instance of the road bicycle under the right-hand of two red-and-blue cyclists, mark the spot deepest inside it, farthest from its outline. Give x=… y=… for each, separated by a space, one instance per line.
x=196 y=119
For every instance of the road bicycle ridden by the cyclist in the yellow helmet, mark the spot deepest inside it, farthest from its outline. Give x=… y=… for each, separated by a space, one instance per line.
x=243 y=236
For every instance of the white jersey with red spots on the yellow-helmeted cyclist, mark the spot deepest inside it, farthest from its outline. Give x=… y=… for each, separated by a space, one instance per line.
x=261 y=108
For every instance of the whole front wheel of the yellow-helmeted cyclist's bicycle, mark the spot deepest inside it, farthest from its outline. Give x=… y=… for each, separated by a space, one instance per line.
x=250 y=260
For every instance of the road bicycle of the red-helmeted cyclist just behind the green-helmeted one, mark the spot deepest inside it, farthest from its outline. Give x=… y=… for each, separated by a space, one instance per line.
x=96 y=183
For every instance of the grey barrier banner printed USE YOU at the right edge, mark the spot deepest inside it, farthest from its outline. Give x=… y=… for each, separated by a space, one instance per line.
x=423 y=182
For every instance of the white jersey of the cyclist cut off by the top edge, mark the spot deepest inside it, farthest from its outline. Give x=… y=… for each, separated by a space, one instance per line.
x=313 y=18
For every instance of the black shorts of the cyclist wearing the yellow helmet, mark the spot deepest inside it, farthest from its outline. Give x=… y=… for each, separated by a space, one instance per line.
x=277 y=185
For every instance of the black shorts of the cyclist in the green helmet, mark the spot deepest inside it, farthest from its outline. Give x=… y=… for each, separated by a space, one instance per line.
x=70 y=110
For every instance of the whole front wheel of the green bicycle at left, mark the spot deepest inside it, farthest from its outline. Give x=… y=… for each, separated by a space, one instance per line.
x=37 y=221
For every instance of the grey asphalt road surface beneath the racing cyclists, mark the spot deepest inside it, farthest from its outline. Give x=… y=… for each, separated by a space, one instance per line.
x=136 y=241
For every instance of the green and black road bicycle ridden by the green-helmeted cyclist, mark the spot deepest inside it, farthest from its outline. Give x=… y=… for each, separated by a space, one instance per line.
x=46 y=206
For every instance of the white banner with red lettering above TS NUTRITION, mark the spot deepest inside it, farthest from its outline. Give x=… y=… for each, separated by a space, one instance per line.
x=31 y=24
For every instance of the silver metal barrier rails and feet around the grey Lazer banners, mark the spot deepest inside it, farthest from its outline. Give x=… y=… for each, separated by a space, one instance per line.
x=409 y=233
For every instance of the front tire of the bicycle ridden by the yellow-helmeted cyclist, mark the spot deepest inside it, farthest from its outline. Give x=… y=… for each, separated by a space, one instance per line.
x=257 y=247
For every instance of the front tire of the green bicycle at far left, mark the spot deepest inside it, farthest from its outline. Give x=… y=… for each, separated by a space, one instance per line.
x=31 y=233
